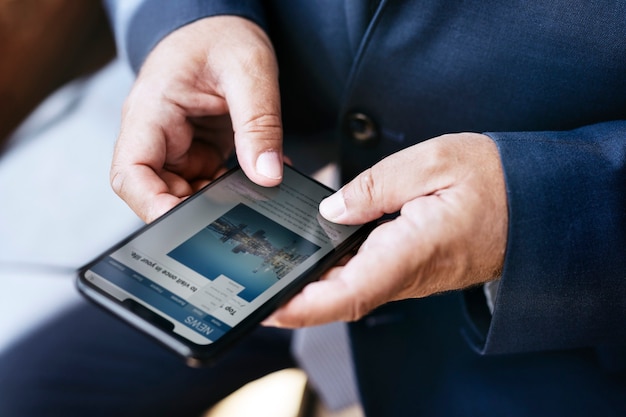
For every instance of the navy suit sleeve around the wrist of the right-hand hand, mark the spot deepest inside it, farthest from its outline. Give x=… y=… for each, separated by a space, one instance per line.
x=564 y=279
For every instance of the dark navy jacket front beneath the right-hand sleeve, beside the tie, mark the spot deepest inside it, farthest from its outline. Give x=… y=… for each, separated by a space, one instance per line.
x=413 y=360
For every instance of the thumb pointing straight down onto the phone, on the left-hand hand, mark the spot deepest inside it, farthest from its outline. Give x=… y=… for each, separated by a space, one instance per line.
x=252 y=93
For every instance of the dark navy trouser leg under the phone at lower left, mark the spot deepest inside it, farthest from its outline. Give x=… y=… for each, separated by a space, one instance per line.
x=102 y=367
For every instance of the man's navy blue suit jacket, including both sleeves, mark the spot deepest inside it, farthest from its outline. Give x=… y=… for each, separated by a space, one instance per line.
x=547 y=81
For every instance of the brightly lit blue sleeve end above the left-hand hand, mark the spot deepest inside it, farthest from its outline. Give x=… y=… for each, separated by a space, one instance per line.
x=140 y=24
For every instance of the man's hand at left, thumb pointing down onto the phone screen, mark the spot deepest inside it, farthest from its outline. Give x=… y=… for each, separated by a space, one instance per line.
x=205 y=89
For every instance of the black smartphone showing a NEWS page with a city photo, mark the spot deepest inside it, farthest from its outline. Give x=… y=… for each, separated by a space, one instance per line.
x=211 y=269
